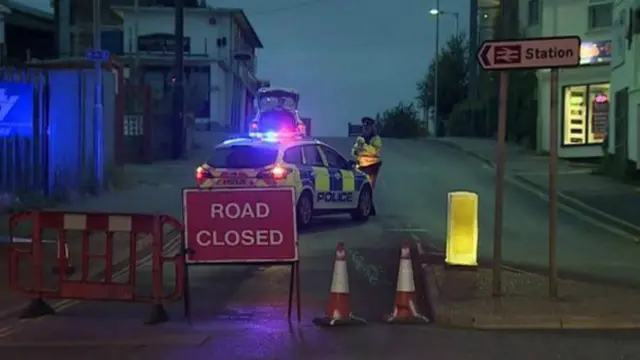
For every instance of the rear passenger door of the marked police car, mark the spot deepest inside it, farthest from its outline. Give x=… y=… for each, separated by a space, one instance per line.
x=315 y=166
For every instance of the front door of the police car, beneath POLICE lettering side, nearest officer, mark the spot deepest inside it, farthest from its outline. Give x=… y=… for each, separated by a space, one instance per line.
x=342 y=180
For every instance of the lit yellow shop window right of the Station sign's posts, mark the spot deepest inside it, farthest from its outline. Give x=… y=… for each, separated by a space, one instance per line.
x=586 y=114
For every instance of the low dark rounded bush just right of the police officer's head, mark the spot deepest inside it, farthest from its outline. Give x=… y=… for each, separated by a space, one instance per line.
x=401 y=121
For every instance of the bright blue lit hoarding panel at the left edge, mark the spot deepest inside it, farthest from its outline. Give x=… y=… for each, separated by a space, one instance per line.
x=16 y=109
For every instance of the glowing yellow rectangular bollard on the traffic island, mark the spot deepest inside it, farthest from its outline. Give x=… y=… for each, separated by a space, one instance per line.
x=462 y=229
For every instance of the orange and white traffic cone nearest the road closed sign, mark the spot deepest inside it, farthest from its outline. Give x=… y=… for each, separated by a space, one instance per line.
x=338 y=309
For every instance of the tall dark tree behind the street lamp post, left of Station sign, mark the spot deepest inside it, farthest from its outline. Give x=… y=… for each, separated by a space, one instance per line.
x=452 y=77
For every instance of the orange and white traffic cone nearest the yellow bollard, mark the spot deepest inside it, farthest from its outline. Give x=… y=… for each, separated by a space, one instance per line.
x=405 y=310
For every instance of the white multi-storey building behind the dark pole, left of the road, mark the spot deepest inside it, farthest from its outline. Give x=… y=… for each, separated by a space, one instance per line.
x=219 y=66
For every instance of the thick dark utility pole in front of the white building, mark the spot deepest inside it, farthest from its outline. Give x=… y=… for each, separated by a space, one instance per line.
x=177 y=118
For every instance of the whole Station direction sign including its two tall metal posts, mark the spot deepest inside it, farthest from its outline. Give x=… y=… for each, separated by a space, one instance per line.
x=536 y=53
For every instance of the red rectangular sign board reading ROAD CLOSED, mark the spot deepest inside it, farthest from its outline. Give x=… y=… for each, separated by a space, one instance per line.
x=240 y=225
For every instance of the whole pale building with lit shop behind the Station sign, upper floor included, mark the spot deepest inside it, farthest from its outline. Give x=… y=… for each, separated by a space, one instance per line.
x=584 y=104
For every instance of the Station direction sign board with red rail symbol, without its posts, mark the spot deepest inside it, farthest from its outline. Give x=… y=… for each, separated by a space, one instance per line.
x=536 y=53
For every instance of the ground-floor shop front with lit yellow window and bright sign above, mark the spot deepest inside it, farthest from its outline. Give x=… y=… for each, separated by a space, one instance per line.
x=583 y=104
